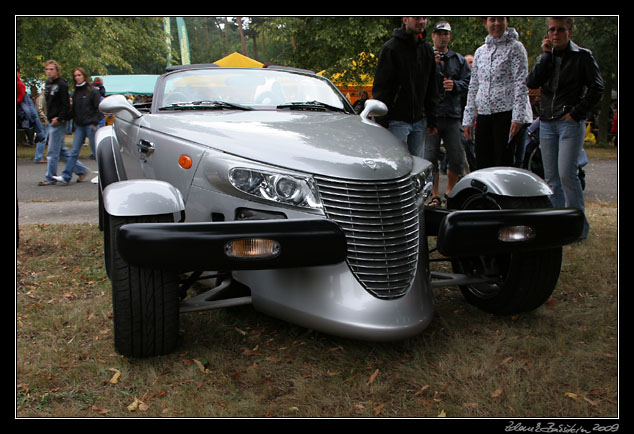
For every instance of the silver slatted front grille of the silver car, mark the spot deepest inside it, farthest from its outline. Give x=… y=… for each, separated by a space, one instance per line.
x=380 y=220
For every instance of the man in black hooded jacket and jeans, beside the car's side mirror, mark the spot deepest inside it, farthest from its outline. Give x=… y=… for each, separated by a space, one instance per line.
x=404 y=81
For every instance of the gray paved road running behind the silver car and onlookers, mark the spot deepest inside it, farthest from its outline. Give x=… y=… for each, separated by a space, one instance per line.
x=77 y=202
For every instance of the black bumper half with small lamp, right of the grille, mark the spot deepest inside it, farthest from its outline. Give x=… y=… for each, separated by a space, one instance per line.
x=476 y=233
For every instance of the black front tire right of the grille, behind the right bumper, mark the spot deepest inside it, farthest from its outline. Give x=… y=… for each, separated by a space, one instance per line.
x=525 y=279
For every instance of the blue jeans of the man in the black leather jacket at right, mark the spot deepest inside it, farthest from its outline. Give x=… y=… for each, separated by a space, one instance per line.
x=561 y=143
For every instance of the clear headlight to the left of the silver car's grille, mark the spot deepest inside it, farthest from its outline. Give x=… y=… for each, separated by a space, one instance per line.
x=276 y=187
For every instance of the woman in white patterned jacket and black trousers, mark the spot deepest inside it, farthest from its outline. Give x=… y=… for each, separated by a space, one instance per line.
x=497 y=96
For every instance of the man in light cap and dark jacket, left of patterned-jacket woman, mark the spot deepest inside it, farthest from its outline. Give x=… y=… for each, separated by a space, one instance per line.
x=452 y=75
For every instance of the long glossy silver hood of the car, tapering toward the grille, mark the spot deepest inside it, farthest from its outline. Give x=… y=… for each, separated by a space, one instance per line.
x=323 y=143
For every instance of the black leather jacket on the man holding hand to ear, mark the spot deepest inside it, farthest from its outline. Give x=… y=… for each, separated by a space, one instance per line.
x=570 y=82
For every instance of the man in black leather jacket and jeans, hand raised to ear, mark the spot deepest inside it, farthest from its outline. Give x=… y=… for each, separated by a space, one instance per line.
x=571 y=85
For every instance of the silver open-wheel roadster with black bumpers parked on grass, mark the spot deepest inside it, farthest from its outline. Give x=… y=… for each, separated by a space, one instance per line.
x=266 y=184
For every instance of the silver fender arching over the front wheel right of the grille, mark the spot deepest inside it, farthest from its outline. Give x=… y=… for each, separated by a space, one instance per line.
x=503 y=181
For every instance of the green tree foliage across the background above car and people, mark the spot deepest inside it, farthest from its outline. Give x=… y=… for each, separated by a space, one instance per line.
x=341 y=45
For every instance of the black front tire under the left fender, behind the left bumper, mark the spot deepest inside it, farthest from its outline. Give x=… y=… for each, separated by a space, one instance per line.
x=145 y=301
